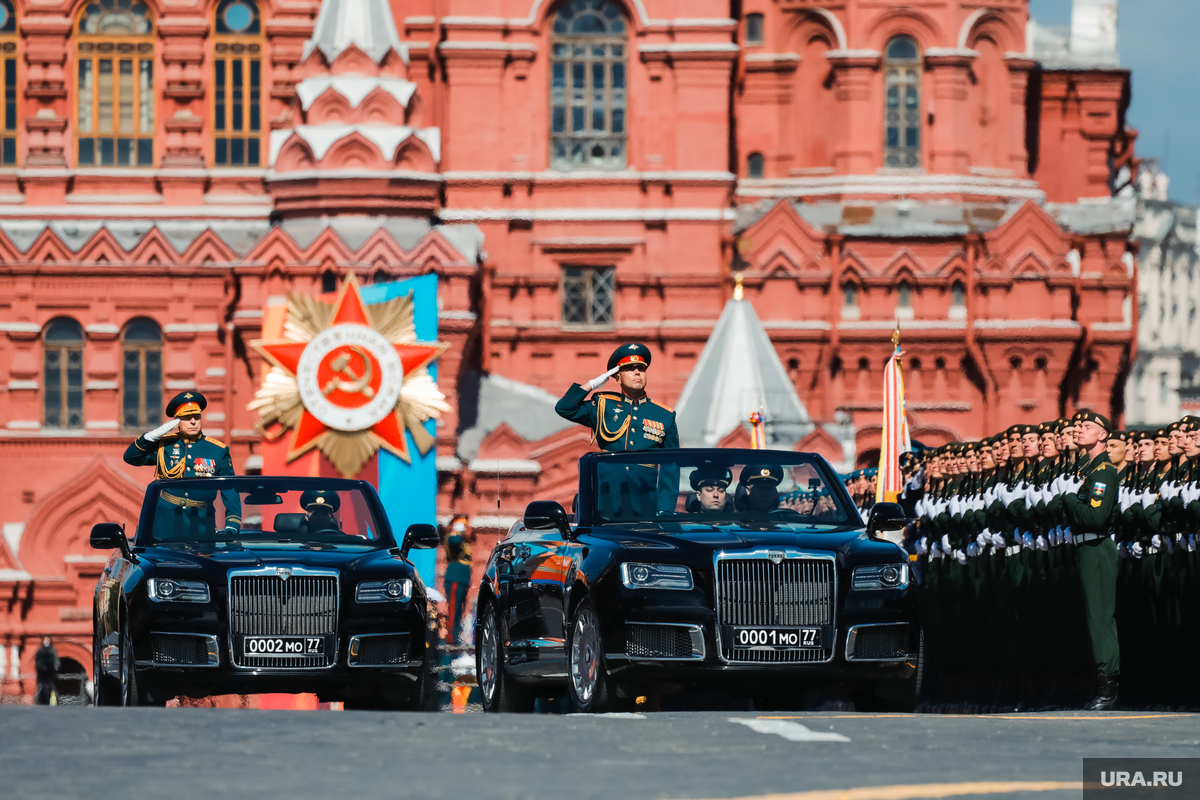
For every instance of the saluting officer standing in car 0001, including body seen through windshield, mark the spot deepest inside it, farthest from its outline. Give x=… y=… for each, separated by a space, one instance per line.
x=623 y=423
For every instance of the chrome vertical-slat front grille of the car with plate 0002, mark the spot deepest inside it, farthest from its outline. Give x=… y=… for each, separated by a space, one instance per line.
x=268 y=605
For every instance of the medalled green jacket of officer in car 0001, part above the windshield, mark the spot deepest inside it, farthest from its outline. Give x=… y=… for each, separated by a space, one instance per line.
x=619 y=423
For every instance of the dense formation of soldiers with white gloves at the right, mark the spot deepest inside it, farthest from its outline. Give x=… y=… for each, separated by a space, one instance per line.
x=1060 y=564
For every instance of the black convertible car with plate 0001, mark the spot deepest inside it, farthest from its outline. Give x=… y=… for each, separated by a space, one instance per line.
x=742 y=570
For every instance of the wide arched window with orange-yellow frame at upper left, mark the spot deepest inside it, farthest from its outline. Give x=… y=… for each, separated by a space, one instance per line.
x=116 y=92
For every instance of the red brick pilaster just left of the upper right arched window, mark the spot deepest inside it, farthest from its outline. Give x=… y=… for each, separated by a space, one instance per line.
x=859 y=141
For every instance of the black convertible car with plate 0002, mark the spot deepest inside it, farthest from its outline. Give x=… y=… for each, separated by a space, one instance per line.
x=263 y=585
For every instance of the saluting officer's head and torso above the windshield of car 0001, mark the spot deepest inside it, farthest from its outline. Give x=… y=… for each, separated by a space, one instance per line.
x=626 y=420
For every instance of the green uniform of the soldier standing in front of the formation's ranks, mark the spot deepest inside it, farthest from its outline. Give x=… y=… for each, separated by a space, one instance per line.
x=1093 y=513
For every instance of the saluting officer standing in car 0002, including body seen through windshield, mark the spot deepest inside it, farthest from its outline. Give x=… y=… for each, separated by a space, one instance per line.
x=179 y=449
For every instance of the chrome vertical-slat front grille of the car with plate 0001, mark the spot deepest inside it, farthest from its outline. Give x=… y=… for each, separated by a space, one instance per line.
x=795 y=593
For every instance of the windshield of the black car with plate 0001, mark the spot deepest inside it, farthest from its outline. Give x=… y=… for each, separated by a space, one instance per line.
x=719 y=486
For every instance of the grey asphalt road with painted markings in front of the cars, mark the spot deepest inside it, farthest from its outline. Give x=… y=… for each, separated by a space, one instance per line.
x=179 y=754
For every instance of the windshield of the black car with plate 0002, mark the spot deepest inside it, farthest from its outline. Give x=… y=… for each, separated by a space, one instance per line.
x=265 y=510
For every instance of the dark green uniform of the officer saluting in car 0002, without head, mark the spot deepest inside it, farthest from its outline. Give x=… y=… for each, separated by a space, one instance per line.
x=191 y=514
